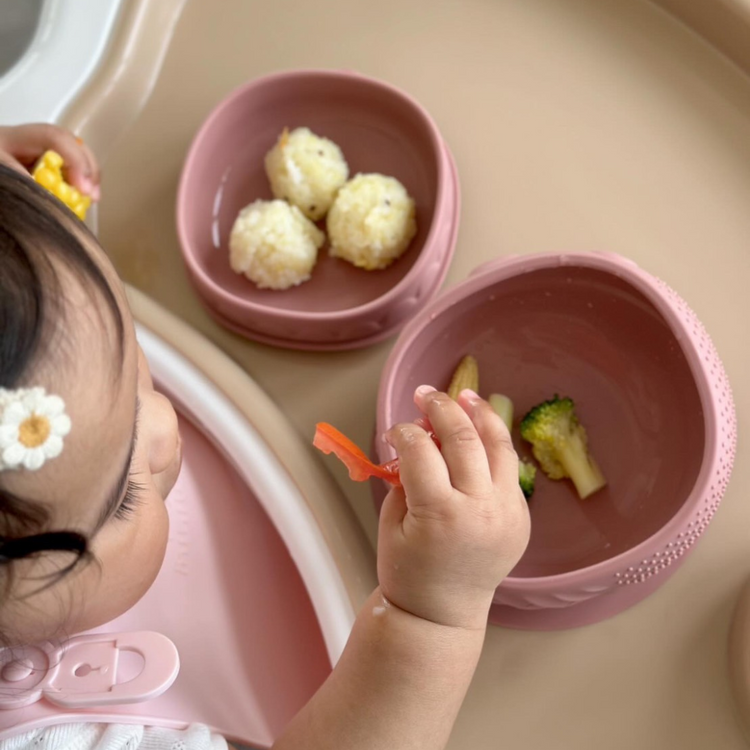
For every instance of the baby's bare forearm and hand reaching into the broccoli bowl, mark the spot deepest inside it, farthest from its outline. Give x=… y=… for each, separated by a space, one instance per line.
x=445 y=542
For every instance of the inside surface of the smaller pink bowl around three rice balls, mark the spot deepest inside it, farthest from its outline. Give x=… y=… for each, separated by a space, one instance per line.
x=377 y=130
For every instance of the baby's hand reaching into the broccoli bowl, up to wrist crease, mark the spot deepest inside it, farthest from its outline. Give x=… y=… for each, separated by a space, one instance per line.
x=460 y=523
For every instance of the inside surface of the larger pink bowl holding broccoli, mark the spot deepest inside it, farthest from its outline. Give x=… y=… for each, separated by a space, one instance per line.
x=592 y=336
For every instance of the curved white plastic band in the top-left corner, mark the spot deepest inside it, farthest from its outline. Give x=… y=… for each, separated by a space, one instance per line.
x=68 y=45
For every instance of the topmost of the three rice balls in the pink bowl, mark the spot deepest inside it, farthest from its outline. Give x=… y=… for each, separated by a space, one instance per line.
x=306 y=170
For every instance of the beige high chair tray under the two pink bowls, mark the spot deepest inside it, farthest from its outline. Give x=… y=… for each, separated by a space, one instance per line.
x=575 y=124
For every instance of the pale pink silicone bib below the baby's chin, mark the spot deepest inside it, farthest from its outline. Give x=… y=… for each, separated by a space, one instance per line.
x=226 y=636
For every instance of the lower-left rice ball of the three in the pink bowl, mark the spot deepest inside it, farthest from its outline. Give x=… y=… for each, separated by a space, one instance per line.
x=274 y=244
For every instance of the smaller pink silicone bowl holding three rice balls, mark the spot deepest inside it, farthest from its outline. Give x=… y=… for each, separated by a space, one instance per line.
x=380 y=129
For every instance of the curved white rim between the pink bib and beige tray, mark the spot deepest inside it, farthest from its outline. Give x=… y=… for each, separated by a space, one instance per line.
x=280 y=497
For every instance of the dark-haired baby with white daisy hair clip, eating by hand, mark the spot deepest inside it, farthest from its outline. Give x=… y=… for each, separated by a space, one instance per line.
x=89 y=452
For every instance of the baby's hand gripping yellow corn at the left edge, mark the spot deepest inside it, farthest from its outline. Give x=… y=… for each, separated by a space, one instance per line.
x=22 y=145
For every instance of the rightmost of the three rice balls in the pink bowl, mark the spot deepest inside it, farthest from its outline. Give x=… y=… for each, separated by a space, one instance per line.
x=372 y=221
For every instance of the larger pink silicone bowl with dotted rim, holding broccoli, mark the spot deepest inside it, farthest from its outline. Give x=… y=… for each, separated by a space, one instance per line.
x=649 y=388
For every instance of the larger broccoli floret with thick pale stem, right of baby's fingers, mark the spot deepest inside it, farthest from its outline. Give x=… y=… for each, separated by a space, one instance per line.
x=559 y=443
